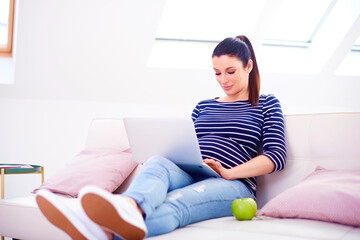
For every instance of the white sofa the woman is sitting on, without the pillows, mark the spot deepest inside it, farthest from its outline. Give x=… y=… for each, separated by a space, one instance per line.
x=329 y=140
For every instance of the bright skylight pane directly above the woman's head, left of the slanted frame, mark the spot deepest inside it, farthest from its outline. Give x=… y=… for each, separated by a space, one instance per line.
x=208 y=20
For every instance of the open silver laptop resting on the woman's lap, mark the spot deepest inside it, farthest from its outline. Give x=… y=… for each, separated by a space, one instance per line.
x=172 y=138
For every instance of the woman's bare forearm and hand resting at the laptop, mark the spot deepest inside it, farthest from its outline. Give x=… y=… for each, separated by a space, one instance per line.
x=257 y=166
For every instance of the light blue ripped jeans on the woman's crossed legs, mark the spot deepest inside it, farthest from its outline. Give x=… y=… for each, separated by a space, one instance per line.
x=171 y=198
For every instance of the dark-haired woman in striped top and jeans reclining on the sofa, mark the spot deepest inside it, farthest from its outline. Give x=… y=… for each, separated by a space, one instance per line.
x=231 y=130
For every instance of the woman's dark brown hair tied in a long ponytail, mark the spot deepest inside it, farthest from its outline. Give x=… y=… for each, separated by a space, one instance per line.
x=241 y=48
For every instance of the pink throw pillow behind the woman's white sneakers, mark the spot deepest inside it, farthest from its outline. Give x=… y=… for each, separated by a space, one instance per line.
x=104 y=168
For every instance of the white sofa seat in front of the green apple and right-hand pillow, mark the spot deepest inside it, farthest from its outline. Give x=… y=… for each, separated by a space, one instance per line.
x=263 y=228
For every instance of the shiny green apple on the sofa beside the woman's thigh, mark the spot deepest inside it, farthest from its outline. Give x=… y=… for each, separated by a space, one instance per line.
x=244 y=208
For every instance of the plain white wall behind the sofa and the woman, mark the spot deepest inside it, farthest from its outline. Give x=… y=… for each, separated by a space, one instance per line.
x=76 y=60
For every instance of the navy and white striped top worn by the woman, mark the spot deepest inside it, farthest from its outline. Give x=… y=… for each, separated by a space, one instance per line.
x=233 y=132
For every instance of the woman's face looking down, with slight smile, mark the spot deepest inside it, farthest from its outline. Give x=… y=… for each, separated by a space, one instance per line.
x=232 y=76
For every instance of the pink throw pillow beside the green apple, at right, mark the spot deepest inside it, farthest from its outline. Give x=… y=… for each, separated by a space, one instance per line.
x=325 y=195
